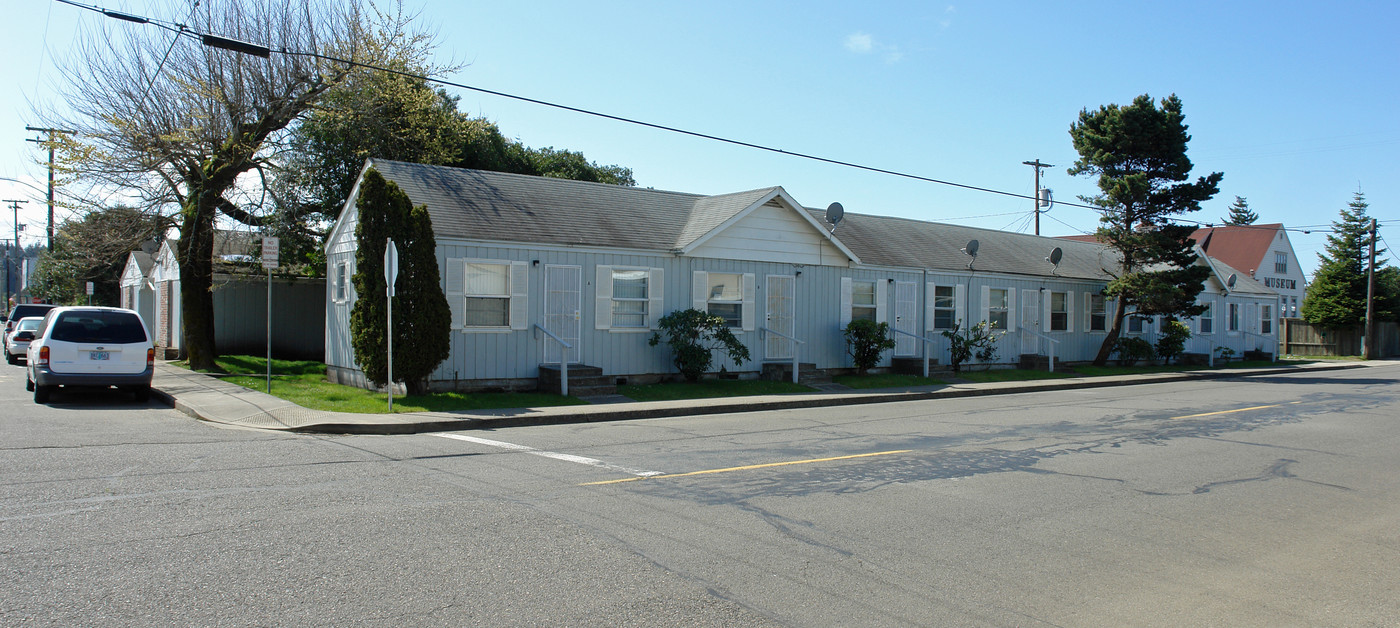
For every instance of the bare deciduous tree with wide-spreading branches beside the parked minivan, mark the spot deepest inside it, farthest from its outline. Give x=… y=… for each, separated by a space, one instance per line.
x=197 y=131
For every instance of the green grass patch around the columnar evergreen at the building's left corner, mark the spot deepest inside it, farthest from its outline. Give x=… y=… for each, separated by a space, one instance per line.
x=304 y=384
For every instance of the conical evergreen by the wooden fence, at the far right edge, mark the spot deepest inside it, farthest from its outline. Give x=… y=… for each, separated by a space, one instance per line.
x=1338 y=293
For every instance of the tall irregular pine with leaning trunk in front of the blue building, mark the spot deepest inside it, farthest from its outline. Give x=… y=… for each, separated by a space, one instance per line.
x=1139 y=155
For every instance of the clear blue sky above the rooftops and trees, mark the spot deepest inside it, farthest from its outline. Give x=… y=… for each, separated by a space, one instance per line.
x=1296 y=103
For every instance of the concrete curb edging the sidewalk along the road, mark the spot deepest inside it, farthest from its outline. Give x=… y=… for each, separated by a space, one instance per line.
x=404 y=424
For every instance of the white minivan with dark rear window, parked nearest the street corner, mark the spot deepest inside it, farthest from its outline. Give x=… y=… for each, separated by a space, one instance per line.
x=90 y=348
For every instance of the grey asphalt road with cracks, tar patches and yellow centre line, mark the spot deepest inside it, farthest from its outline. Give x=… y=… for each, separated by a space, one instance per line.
x=1263 y=501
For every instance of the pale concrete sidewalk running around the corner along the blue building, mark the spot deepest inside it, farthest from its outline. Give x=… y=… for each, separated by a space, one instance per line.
x=212 y=399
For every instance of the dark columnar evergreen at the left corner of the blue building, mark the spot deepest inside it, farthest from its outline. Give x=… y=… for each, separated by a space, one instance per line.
x=422 y=324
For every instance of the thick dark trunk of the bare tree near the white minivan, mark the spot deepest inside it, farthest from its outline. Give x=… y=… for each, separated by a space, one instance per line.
x=197 y=273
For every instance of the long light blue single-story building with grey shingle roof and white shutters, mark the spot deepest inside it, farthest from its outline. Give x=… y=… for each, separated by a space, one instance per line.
x=527 y=261
